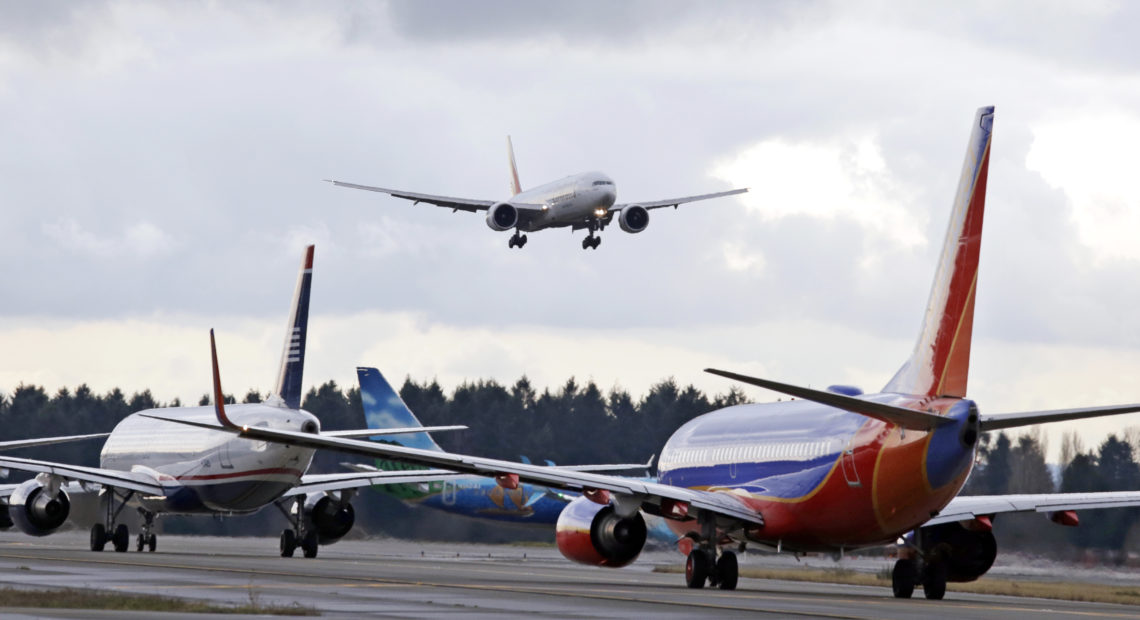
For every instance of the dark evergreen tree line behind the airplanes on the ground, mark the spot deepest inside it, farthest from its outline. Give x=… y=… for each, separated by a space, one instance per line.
x=581 y=423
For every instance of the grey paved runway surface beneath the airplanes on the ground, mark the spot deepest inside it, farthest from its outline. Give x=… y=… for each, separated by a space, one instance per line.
x=403 y=580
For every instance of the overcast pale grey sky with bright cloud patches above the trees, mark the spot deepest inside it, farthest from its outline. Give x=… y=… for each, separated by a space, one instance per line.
x=162 y=169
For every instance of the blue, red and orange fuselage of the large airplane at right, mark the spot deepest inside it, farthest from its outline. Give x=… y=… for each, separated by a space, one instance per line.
x=824 y=478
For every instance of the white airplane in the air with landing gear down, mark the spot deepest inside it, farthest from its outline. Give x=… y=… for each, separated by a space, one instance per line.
x=584 y=201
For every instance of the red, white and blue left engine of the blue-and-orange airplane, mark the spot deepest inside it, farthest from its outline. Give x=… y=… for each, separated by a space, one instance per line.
x=592 y=534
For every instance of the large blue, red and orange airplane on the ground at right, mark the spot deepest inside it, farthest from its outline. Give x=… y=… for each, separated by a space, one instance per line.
x=829 y=471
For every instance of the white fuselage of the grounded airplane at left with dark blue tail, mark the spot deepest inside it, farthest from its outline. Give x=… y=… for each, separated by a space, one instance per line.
x=205 y=471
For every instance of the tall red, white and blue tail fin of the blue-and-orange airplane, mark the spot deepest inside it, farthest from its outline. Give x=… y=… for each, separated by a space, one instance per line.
x=941 y=363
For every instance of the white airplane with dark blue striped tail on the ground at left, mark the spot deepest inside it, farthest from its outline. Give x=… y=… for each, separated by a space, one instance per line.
x=169 y=469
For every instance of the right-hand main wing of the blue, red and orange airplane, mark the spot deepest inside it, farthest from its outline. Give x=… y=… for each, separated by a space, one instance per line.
x=967 y=508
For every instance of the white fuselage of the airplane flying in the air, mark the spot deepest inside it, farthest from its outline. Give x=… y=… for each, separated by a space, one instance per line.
x=569 y=201
